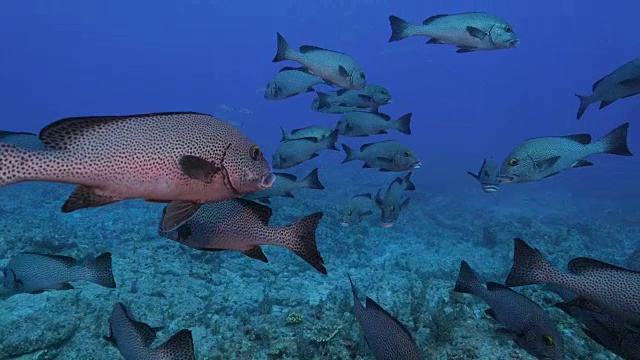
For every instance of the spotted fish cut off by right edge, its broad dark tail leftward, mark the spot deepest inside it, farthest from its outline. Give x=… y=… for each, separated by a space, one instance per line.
x=613 y=289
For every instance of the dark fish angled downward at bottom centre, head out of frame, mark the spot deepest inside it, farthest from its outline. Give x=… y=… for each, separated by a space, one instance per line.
x=387 y=338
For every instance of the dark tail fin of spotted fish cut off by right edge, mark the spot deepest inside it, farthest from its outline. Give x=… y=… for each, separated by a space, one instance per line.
x=529 y=266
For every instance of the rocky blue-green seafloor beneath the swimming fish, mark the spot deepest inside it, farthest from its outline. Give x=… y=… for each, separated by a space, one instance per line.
x=237 y=307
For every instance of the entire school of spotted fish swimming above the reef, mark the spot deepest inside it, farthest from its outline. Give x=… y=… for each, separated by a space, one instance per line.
x=215 y=181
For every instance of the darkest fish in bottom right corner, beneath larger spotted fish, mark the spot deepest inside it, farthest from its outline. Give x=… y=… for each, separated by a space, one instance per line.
x=604 y=329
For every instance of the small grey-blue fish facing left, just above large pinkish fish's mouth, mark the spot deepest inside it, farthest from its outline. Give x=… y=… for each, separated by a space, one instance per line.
x=294 y=152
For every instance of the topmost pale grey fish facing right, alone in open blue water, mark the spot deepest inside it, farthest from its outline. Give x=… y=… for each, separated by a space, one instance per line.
x=471 y=31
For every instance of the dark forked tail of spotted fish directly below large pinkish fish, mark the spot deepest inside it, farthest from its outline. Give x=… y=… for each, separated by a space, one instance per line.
x=300 y=238
